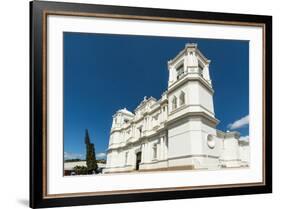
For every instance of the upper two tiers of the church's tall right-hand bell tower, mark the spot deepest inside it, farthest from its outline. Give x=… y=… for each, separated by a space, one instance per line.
x=189 y=75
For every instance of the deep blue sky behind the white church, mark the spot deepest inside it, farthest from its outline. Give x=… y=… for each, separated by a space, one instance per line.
x=104 y=73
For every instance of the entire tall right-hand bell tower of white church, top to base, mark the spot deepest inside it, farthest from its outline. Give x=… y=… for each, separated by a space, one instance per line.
x=191 y=110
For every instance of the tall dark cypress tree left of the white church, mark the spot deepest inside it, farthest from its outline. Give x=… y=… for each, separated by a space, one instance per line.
x=90 y=154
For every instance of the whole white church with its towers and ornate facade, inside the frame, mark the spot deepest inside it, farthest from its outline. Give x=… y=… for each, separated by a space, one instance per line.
x=178 y=131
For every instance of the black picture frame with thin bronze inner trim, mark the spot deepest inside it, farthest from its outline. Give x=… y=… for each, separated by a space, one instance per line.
x=38 y=11
